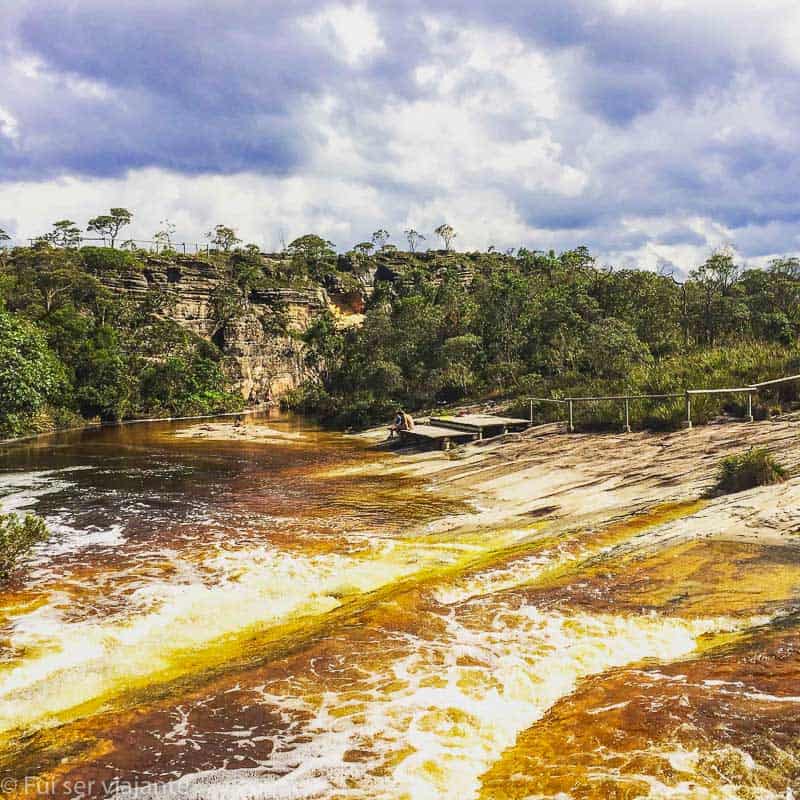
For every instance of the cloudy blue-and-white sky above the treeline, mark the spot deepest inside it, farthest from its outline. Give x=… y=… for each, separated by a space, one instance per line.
x=651 y=131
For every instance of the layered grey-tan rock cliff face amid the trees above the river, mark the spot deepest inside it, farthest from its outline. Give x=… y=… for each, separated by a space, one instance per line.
x=265 y=359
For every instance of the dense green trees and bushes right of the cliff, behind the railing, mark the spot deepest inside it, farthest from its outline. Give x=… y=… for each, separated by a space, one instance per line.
x=489 y=325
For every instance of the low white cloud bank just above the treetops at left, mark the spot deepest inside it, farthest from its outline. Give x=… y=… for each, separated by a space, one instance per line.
x=262 y=209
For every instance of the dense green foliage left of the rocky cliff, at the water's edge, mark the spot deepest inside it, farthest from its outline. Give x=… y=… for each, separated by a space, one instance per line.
x=71 y=348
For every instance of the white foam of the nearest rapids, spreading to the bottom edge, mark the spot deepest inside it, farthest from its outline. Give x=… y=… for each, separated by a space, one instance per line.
x=457 y=703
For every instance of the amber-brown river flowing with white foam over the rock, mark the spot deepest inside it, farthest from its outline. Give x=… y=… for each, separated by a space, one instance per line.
x=224 y=619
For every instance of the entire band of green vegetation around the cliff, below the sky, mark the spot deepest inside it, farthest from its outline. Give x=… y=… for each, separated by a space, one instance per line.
x=439 y=326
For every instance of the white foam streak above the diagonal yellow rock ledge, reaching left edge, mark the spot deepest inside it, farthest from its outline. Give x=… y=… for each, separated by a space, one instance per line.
x=211 y=596
